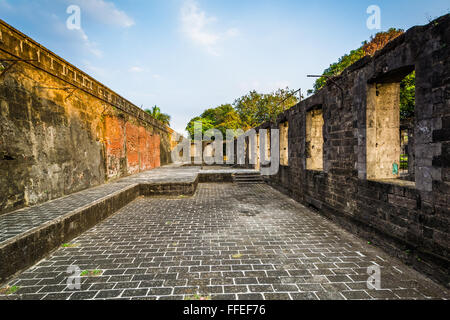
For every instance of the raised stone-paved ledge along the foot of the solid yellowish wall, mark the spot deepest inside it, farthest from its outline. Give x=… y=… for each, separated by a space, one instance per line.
x=27 y=235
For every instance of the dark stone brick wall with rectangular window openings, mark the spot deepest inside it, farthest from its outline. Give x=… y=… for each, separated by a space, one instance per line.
x=409 y=219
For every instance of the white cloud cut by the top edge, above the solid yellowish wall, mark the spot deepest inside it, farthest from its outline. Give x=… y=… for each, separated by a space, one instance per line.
x=105 y=12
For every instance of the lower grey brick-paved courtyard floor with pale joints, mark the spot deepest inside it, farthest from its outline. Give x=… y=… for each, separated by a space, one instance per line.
x=225 y=242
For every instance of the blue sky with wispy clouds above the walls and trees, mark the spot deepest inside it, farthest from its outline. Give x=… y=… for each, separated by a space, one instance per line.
x=189 y=55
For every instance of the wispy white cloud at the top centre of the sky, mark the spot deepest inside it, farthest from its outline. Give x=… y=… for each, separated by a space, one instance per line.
x=196 y=25
